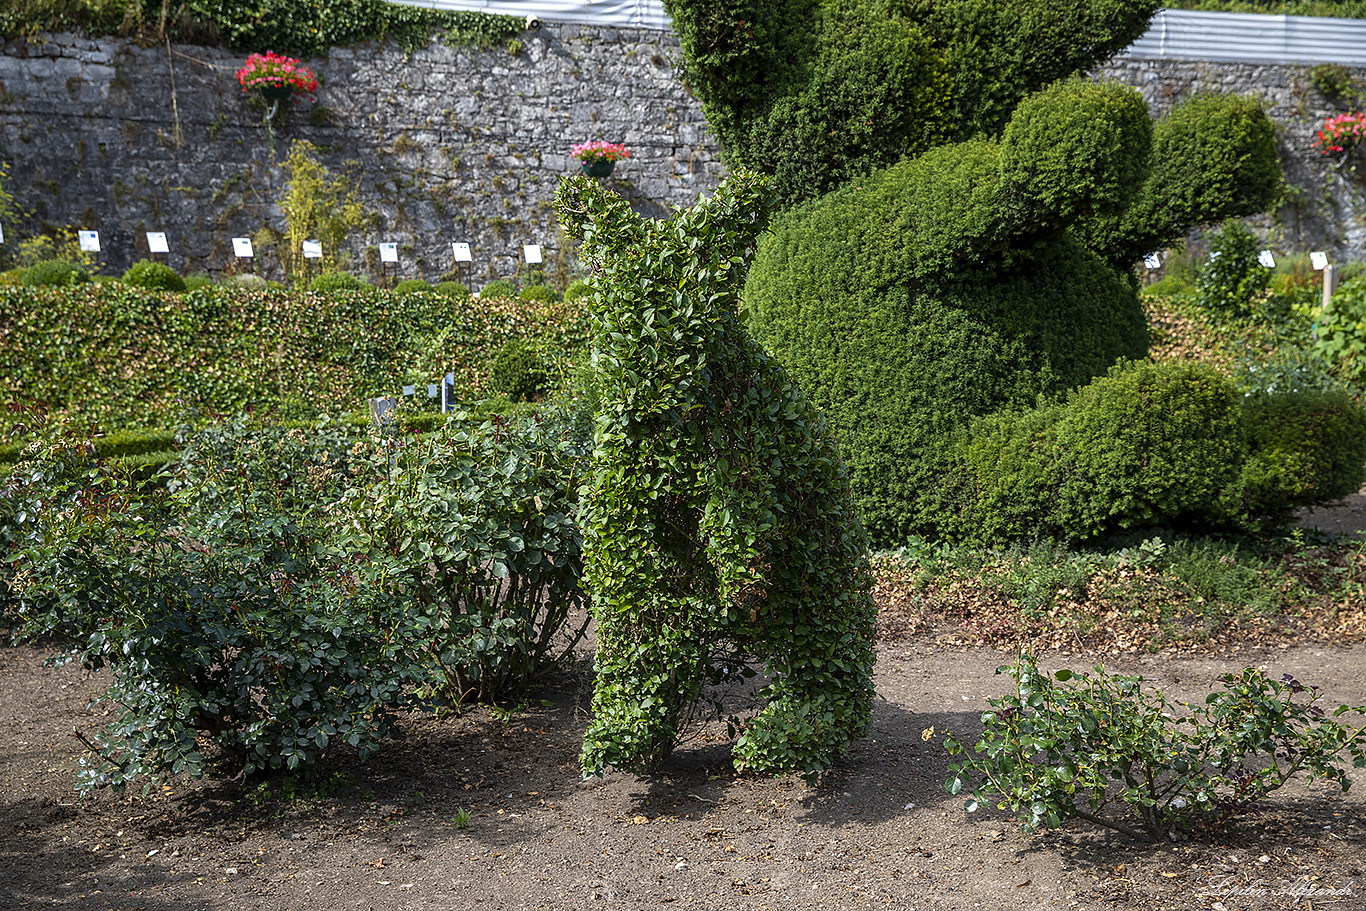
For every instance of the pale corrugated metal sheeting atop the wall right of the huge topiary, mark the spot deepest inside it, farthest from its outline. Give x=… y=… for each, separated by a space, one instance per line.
x=1184 y=35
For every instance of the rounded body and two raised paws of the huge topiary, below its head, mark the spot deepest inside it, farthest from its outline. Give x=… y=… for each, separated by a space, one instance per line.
x=984 y=275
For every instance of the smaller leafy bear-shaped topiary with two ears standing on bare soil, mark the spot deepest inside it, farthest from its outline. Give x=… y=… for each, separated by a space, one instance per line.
x=718 y=525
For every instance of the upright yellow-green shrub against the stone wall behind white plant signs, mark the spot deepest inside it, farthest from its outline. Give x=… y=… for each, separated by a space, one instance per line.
x=318 y=207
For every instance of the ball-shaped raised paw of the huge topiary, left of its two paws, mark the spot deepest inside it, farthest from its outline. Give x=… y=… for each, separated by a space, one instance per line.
x=1073 y=151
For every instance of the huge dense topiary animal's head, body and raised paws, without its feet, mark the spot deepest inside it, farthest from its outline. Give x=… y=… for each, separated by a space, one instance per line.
x=962 y=225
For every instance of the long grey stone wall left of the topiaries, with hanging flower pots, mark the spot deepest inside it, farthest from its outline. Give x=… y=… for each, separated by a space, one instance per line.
x=450 y=145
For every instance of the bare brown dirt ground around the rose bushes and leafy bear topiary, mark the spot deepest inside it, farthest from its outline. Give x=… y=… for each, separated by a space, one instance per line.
x=880 y=832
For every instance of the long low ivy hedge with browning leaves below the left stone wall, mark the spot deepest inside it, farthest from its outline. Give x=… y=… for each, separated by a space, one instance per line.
x=120 y=356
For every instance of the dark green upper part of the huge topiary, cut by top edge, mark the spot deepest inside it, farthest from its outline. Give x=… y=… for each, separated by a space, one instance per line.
x=819 y=92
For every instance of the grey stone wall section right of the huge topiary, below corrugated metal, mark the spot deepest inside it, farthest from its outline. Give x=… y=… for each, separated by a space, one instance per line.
x=1324 y=199
